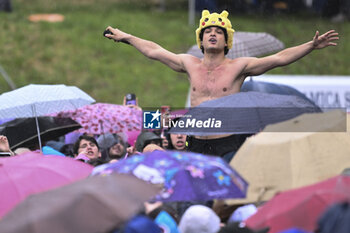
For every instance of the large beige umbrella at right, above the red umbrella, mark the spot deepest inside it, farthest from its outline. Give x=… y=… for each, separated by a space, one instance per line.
x=276 y=161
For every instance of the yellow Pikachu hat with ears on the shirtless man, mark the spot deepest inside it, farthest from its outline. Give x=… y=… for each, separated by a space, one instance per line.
x=215 y=19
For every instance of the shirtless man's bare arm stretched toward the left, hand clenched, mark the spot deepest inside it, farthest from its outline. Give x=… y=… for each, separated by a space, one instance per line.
x=149 y=49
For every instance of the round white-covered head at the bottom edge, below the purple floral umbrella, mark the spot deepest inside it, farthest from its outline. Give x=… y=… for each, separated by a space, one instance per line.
x=199 y=218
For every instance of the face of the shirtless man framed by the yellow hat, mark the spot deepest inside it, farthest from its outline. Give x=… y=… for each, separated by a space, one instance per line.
x=214 y=39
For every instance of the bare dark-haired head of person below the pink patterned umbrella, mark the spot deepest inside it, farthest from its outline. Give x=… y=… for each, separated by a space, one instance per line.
x=87 y=146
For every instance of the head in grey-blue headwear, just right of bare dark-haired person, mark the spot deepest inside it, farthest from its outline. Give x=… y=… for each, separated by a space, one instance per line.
x=113 y=145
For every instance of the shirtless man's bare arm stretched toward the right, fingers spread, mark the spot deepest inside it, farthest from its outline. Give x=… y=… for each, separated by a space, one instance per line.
x=257 y=66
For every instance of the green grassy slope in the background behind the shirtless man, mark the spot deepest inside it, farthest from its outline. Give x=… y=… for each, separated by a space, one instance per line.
x=74 y=52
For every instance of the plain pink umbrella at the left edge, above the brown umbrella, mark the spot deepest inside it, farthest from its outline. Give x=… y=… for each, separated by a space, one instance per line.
x=32 y=172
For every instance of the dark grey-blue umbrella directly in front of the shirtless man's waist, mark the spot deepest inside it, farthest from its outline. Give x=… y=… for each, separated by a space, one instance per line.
x=241 y=113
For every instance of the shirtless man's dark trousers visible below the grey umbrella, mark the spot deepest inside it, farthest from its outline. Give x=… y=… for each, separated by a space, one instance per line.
x=224 y=147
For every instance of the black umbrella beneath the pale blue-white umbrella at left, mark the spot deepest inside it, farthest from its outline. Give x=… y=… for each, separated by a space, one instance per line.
x=22 y=131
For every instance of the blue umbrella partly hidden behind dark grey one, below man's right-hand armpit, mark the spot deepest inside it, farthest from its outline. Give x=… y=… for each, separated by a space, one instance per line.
x=273 y=88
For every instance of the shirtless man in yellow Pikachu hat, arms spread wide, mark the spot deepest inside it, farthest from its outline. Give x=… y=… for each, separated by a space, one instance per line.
x=215 y=75
